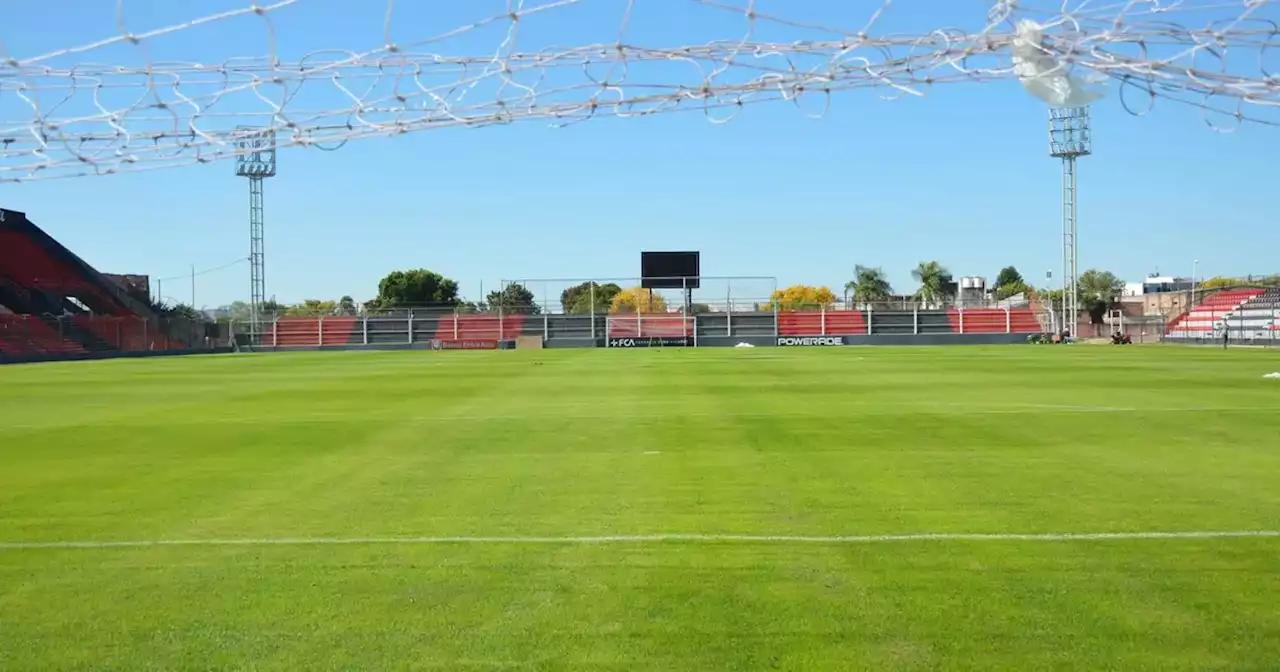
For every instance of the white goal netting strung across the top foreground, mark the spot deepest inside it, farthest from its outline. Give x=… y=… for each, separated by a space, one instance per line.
x=154 y=94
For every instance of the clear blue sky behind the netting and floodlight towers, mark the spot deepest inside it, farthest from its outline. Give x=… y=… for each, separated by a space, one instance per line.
x=962 y=176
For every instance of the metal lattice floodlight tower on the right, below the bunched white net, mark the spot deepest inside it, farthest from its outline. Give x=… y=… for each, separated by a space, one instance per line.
x=1069 y=139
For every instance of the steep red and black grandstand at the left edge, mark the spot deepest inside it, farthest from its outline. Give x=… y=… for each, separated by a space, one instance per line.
x=54 y=304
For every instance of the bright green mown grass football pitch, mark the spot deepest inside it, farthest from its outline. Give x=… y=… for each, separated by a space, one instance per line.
x=486 y=447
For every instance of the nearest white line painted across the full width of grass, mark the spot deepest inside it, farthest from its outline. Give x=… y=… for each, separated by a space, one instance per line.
x=646 y=540
